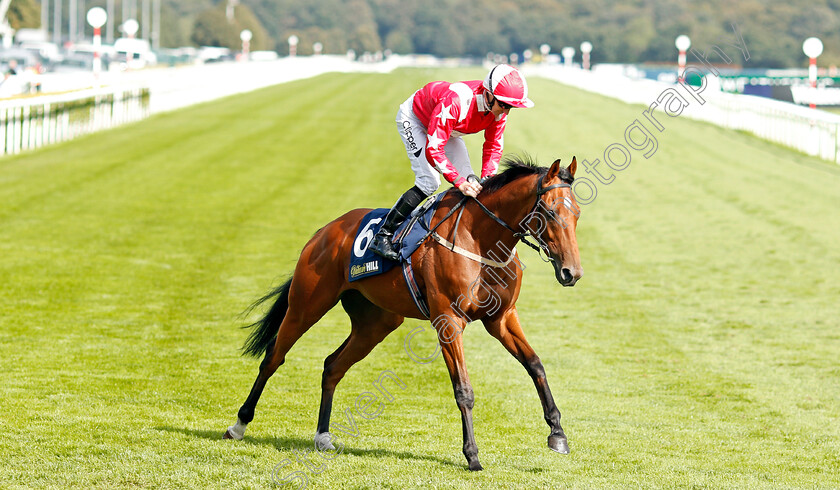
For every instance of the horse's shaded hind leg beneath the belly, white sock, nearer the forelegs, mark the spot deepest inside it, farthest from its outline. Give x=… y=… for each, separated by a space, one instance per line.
x=370 y=325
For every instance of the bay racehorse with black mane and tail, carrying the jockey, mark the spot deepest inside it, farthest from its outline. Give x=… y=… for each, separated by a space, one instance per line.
x=490 y=225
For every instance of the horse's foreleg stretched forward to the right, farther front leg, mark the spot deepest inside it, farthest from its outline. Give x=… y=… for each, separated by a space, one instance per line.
x=507 y=329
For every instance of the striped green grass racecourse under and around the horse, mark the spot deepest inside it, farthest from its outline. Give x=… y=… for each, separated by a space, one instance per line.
x=701 y=349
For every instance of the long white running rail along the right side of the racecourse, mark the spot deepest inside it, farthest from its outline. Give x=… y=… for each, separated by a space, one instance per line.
x=810 y=131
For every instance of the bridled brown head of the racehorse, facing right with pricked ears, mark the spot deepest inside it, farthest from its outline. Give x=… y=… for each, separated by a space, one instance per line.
x=557 y=213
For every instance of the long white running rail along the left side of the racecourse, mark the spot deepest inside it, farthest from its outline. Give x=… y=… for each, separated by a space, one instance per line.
x=28 y=123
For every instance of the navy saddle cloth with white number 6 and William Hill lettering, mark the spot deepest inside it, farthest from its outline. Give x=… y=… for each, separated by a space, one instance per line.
x=407 y=238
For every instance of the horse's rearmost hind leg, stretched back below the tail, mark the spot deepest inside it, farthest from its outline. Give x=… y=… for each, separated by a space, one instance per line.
x=308 y=301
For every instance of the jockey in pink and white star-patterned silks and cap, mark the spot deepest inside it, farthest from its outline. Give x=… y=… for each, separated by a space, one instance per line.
x=431 y=123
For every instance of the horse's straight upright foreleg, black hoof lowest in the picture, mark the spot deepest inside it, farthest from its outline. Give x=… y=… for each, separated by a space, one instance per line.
x=453 y=353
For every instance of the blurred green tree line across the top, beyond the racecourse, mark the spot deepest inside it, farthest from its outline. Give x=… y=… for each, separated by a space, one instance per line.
x=633 y=31
